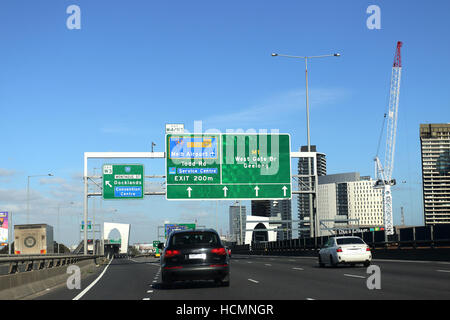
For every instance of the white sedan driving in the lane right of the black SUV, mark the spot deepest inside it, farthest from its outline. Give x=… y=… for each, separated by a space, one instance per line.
x=345 y=250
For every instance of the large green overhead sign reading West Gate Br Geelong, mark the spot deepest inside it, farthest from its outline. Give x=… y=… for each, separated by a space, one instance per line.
x=228 y=166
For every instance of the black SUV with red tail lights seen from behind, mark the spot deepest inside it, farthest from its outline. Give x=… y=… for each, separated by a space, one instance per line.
x=195 y=255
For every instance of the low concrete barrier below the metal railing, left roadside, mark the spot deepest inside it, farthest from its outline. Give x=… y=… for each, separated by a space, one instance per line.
x=20 y=285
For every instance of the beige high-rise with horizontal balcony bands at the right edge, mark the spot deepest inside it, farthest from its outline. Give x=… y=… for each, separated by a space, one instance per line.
x=435 y=151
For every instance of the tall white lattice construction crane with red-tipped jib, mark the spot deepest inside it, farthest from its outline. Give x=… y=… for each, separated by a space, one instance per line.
x=384 y=174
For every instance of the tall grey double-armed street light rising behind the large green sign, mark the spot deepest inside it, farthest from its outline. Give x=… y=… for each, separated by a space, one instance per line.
x=307 y=124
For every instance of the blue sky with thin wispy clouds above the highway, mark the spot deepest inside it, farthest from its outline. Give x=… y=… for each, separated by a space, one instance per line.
x=134 y=66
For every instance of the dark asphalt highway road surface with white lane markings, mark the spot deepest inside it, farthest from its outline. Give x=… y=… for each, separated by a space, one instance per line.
x=266 y=278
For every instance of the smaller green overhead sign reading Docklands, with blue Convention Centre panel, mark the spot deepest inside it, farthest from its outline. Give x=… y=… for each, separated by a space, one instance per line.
x=123 y=181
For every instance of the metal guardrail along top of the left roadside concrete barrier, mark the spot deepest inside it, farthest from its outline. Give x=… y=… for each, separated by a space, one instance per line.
x=25 y=263
